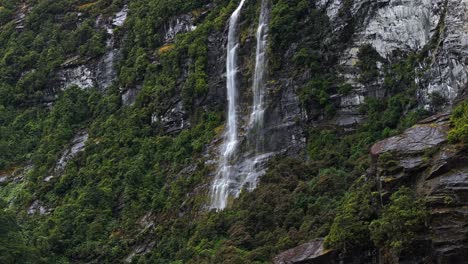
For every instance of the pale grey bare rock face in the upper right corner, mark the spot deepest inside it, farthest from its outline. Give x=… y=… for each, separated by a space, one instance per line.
x=395 y=28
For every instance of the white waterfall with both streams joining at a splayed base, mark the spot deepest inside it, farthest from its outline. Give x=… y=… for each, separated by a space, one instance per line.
x=234 y=175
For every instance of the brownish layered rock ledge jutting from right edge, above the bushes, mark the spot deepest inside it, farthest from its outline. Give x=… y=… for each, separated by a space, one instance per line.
x=421 y=158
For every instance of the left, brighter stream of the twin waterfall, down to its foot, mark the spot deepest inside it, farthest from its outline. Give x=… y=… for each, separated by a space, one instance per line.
x=226 y=170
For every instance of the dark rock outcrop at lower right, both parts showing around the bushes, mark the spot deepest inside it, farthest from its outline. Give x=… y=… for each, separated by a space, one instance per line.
x=420 y=158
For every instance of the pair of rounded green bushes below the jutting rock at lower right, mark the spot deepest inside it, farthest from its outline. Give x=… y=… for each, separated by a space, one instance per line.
x=357 y=224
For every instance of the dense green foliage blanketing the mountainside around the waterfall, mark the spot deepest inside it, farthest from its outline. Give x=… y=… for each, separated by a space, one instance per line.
x=137 y=186
